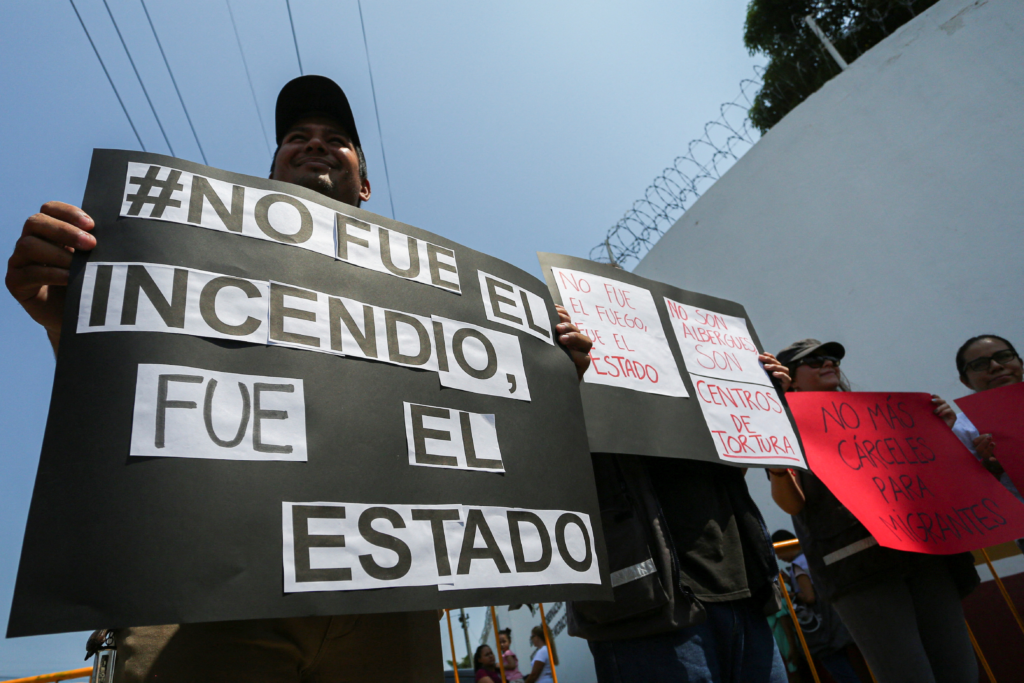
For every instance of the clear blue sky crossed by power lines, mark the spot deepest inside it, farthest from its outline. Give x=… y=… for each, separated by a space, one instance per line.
x=509 y=127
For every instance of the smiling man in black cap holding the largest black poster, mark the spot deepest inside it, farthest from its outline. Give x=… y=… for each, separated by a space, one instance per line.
x=319 y=149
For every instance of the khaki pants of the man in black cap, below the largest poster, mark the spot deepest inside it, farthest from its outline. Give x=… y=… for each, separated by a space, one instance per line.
x=400 y=647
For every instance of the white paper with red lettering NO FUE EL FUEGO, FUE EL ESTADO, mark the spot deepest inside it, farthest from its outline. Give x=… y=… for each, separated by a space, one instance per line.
x=631 y=350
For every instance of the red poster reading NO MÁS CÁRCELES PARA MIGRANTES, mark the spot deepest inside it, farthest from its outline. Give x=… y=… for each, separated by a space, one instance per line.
x=901 y=471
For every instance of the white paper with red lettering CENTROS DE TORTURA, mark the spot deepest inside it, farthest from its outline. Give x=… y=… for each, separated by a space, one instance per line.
x=748 y=422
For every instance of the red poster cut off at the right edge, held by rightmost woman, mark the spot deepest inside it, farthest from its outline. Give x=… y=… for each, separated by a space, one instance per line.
x=1000 y=412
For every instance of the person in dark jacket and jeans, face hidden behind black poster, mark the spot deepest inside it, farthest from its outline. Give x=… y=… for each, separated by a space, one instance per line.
x=693 y=573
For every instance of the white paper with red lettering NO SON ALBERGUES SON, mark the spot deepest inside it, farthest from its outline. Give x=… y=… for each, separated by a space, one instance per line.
x=716 y=345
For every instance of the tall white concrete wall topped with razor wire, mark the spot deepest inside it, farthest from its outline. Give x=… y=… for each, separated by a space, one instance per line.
x=885 y=212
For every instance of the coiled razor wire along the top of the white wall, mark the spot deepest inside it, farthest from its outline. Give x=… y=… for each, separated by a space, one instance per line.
x=838 y=34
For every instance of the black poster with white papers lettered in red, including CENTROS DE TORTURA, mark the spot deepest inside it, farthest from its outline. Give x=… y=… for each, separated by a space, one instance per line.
x=673 y=373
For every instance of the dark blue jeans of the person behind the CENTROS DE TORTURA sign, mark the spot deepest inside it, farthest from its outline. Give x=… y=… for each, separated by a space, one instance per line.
x=735 y=646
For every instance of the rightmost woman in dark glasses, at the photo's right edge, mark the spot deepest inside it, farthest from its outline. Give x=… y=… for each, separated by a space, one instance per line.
x=987 y=363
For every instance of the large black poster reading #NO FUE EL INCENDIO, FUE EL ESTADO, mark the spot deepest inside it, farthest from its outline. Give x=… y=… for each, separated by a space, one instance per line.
x=269 y=404
